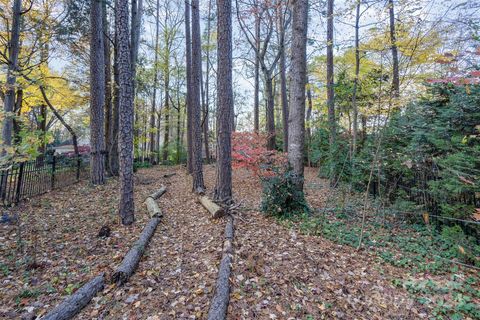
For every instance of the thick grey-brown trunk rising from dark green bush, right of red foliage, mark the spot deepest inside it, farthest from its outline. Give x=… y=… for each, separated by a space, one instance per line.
x=298 y=80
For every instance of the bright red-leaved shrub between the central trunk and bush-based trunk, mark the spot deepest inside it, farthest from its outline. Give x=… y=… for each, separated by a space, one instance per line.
x=249 y=151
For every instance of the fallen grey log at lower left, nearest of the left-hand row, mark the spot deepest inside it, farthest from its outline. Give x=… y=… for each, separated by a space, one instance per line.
x=71 y=306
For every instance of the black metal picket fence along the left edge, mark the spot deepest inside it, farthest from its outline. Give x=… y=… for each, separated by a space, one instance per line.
x=30 y=178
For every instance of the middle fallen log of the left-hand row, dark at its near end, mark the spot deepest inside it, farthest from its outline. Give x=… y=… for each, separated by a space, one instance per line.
x=131 y=260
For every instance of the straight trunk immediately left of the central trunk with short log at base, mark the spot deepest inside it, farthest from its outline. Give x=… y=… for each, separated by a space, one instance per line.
x=198 y=185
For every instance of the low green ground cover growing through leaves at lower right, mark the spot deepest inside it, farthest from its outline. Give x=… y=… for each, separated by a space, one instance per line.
x=431 y=255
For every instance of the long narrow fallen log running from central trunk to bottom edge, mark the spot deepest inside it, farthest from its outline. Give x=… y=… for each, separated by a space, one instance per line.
x=221 y=298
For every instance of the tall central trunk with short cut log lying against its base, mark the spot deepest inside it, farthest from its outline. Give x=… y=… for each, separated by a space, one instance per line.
x=223 y=187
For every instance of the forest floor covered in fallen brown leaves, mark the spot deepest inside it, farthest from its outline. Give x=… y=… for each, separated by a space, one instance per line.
x=280 y=270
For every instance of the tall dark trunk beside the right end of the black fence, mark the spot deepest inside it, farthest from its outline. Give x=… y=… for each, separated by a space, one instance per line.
x=97 y=95
